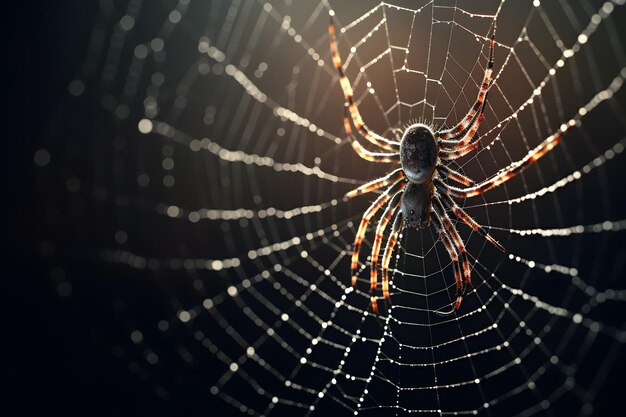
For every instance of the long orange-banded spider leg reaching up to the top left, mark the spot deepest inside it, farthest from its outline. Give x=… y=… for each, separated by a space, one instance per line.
x=355 y=115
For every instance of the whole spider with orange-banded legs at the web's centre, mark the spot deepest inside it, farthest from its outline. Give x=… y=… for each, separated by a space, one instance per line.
x=418 y=189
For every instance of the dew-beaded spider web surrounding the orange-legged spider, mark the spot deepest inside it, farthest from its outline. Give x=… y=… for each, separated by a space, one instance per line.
x=220 y=156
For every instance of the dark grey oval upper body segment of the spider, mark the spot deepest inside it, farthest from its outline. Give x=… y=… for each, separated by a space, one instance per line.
x=418 y=153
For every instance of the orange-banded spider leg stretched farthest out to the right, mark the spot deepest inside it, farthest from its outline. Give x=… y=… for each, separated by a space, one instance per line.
x=514 y=168
